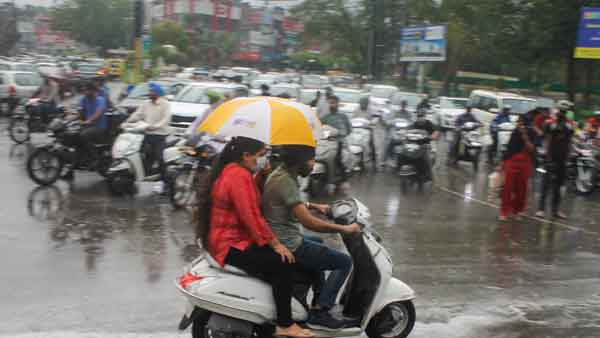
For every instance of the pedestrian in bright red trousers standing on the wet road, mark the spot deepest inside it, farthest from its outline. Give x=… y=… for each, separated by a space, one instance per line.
x=517 y=167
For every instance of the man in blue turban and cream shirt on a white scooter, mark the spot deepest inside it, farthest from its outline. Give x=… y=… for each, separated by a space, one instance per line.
x=157 y=114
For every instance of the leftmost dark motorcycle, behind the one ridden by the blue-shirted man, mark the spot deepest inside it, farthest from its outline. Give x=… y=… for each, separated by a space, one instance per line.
x=29 y=119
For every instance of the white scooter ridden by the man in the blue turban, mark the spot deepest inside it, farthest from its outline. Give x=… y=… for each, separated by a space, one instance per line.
x=128 y=169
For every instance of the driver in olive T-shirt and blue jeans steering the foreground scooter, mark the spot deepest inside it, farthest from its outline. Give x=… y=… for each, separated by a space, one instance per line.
x=286 y=213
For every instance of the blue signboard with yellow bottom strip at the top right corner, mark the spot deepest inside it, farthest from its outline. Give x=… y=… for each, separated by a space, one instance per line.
x=588 y=37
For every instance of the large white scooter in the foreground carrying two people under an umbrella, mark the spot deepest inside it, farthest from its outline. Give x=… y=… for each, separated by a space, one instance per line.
x=226 y=302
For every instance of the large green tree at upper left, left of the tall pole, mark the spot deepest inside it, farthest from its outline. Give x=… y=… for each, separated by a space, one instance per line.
x=105 y=24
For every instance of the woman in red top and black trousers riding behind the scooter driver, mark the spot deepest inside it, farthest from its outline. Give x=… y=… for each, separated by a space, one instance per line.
x=238 y=234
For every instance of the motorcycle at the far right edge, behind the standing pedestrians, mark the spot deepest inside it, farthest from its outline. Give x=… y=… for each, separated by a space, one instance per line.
x=587 y=166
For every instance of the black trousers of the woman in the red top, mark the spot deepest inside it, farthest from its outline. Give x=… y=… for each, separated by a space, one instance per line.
x=264 y=263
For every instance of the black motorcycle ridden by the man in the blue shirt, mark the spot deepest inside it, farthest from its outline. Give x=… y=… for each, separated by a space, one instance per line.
x=66 y=153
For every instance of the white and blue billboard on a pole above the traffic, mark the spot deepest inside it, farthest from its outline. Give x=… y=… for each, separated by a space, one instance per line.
x=426 y=43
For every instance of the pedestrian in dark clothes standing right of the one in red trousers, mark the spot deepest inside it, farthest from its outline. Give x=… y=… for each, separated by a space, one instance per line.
x=558 y=133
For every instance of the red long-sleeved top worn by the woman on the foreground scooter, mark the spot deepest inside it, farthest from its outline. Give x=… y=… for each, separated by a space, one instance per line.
x=236 y=219
